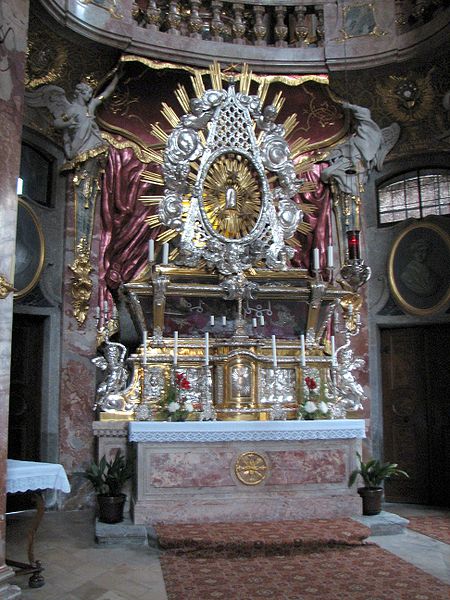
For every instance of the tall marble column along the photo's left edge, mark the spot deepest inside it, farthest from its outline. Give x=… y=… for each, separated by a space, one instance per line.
x=13 y=40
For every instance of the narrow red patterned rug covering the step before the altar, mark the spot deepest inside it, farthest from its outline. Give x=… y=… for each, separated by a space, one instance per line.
x=260 y=538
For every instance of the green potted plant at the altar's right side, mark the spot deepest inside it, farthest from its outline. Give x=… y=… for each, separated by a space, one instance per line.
x=373 y=473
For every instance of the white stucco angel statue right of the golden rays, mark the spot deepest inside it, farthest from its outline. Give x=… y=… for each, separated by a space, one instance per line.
x=352 y=161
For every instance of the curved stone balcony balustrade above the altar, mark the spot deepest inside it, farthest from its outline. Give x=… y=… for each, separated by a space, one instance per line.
x=289 y=36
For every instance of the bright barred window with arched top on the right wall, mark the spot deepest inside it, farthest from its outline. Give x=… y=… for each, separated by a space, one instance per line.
x=415 y=194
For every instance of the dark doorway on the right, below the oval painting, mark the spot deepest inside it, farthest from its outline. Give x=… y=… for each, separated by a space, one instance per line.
x=416 y=412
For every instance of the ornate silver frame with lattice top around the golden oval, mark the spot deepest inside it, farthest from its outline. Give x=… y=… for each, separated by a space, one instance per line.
x=226 y=120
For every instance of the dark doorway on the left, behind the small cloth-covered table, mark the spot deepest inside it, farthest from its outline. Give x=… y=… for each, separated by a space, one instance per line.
x=24 y=429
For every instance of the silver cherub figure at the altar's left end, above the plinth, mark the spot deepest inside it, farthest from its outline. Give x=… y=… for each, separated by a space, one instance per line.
x=109 y=392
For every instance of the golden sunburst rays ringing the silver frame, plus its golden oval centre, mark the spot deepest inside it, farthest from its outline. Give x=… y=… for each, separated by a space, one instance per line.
x=232 y=196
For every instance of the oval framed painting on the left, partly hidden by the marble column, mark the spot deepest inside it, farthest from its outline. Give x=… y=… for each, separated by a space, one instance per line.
x=30 y=250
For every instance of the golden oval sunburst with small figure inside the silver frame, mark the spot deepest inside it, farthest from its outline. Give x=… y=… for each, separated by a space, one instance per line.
x=232 y=196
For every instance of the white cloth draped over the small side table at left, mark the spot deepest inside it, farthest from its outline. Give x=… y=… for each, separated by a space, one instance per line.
x=24 y=475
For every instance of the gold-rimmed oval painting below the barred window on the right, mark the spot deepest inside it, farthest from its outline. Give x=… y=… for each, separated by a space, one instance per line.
x=419 y=268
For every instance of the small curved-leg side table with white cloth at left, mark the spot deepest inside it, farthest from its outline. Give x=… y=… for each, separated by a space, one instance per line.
x=26 y=476
